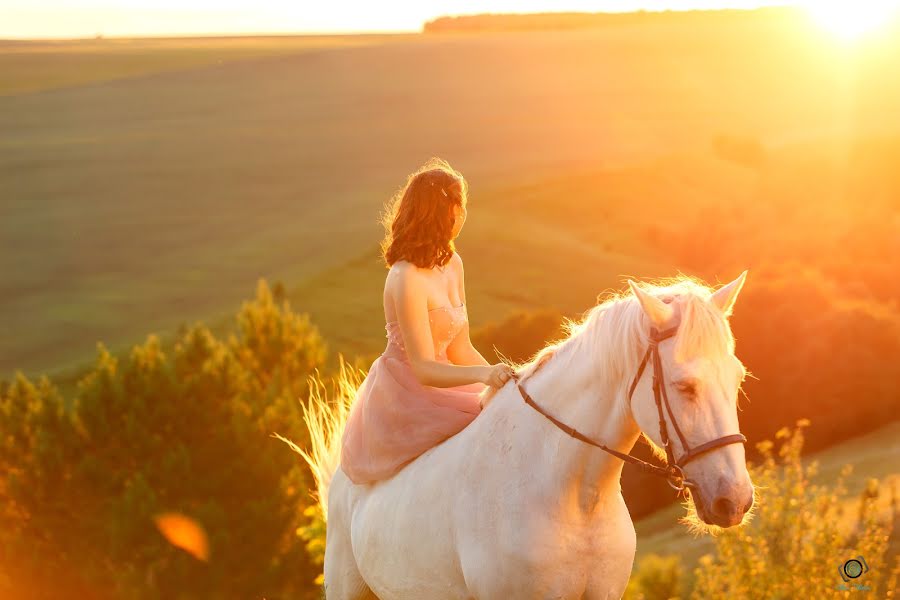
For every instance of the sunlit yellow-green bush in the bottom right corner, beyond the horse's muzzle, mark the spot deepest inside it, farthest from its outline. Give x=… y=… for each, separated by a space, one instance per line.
x=798 y=536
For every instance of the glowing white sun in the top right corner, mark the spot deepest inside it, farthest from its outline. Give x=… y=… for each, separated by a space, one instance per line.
x=851 y=20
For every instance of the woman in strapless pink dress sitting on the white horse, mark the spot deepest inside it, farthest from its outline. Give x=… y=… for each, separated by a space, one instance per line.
x=425 y=387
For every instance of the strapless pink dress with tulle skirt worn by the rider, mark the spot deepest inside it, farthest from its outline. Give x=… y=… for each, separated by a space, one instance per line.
x=395 y=418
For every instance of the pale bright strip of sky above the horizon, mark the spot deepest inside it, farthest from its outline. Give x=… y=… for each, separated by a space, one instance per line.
x=86 y=18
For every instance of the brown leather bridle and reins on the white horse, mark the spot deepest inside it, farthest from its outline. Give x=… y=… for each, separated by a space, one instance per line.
x=673 y=472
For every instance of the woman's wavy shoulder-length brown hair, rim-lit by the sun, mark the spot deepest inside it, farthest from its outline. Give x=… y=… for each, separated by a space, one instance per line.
x=418 y=220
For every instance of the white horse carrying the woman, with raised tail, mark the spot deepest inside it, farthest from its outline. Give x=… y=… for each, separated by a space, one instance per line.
x=512 y=506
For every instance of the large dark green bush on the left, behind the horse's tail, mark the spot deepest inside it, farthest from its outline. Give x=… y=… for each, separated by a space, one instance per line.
x=157 y=454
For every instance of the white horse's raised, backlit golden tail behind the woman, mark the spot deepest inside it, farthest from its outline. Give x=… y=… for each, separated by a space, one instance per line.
x=325 y=419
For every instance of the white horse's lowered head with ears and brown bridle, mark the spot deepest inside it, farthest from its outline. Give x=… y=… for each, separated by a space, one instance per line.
x=694 y=408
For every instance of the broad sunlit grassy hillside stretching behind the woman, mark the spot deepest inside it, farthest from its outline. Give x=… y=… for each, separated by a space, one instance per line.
x=132 y=205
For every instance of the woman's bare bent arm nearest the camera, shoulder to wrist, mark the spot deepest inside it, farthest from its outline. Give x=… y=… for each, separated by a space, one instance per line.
x=410 y=300
